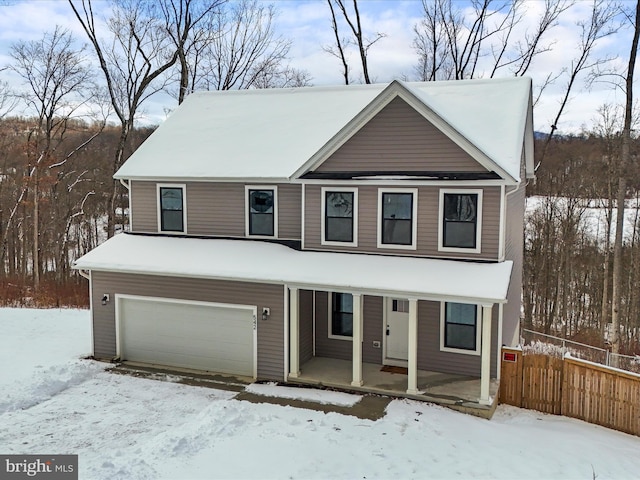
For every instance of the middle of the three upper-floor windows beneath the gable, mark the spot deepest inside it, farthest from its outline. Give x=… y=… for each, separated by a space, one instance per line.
x=397 y=218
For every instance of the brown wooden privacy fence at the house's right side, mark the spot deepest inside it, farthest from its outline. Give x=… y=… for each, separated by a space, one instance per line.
x=571 y=387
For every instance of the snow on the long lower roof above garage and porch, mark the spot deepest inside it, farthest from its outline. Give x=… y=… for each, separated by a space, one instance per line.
x=264 y=262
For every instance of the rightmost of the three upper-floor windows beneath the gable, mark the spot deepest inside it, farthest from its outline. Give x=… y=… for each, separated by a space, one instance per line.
x=460 y=213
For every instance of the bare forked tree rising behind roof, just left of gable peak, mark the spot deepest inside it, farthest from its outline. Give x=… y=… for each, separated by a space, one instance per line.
x=357 y=38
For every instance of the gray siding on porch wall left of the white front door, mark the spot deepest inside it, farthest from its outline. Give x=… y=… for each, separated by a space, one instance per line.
x=343 y=349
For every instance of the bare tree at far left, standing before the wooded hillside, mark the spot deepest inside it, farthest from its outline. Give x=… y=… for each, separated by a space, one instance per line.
x=56 y=77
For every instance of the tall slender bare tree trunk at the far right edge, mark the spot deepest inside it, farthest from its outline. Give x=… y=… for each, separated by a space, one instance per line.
x=622 y=187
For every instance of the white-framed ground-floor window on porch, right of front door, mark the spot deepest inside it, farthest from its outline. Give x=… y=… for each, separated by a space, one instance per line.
x=459 y=330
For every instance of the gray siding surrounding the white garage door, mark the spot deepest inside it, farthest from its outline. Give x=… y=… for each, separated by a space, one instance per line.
x=270 y=332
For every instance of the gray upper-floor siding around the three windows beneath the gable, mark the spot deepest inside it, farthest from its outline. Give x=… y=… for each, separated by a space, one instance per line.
x=427 y=223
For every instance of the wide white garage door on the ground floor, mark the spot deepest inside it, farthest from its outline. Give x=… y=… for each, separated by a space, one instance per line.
x=202 y=336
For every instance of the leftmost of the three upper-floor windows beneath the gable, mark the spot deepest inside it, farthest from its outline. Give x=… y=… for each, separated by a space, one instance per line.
x=340 y=216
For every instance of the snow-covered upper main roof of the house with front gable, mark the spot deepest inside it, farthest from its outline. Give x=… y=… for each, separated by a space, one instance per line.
x=271 y=134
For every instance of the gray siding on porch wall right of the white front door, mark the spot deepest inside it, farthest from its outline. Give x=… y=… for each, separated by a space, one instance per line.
x=431 y=358
